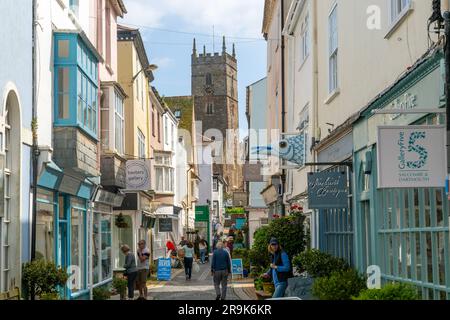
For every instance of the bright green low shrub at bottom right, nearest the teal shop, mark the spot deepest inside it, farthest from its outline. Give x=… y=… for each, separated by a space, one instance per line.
x=393 y=291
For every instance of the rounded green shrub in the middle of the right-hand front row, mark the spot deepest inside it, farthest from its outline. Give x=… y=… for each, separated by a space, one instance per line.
x=341 y=285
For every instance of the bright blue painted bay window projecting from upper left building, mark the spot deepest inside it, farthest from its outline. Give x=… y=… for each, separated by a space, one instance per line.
x=83 y=91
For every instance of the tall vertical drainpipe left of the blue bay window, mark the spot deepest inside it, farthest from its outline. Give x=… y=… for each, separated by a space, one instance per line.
x=35 y=148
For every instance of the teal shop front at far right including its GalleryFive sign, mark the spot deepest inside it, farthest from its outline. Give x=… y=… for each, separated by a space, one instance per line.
x=402 y=222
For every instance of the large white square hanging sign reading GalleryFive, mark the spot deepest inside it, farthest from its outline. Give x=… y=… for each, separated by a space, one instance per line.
x=411 y=157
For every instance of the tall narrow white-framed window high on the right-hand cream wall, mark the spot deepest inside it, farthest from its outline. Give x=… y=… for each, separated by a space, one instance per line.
x=333 y=49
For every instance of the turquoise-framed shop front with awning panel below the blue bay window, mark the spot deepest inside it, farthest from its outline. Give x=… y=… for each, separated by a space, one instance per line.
x=62 y=226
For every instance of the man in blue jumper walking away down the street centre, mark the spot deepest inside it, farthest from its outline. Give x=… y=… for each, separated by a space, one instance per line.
x=220 y=269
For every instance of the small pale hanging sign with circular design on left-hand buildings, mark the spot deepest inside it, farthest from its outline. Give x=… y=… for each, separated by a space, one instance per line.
x=138 y=175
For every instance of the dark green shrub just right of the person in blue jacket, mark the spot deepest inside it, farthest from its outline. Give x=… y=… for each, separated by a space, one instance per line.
x=318 y=264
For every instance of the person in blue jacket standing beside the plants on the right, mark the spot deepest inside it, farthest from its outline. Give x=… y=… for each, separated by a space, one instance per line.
x=280 y=268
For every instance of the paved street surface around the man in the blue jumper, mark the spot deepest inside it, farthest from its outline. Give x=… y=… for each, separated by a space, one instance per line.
x=200 y=287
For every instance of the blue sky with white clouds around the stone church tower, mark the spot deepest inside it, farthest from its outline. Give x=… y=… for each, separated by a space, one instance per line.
x=239 y=20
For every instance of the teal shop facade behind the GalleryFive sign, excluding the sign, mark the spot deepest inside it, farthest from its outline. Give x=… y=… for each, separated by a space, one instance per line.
x=404 y=231
